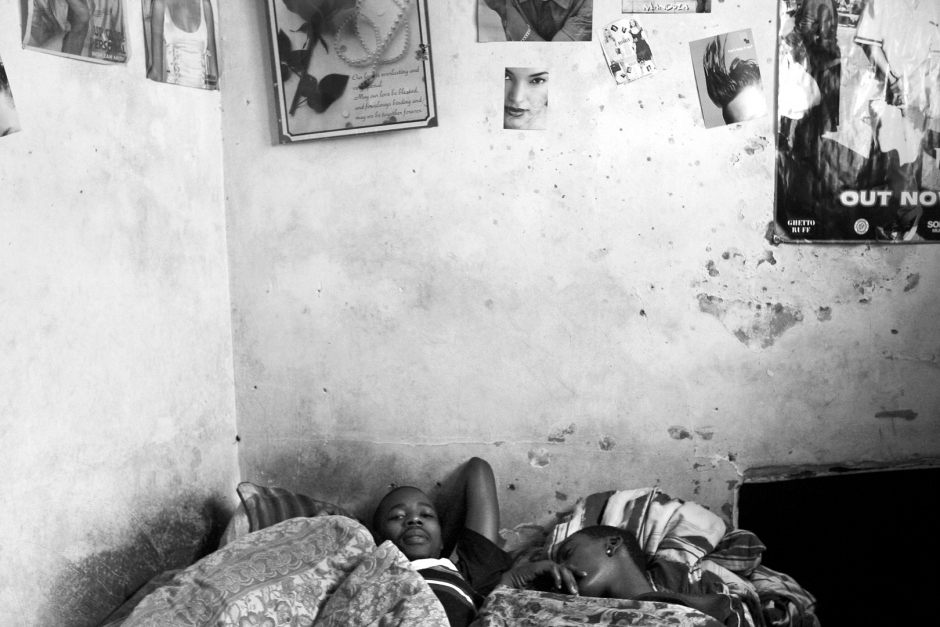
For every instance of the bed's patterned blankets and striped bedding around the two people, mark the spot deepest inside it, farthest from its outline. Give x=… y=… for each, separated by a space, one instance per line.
x=289 y=560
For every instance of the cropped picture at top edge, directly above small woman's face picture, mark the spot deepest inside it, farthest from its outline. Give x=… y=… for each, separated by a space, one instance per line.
x=521 y=20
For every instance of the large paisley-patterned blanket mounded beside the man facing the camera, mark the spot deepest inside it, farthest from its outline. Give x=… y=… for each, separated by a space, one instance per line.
x=303 y=572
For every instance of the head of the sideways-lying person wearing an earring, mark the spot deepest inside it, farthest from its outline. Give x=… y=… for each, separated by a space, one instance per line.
x=611 y=560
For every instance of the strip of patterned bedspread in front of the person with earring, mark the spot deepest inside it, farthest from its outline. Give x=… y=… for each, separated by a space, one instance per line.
x=506 y=607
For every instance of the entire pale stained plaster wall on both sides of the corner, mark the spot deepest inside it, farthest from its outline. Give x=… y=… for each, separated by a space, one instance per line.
x=579 y=306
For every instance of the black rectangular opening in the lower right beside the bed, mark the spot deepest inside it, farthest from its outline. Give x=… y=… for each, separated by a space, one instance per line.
x=863 y=543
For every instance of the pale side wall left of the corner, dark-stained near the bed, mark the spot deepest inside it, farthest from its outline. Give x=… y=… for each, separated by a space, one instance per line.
x=116 y=397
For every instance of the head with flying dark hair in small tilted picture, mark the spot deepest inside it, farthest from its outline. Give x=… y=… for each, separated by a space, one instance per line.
x=737 y=89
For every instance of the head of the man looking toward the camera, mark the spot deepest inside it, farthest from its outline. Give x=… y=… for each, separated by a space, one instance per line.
x=407 y=517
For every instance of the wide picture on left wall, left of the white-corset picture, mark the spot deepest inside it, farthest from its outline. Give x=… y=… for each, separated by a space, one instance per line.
x=91 y=30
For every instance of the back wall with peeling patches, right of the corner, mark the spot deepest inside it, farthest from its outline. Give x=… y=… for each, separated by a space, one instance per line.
x=588 y=307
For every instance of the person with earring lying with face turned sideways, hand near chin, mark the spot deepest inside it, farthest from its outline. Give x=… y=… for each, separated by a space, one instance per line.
x=608 y=562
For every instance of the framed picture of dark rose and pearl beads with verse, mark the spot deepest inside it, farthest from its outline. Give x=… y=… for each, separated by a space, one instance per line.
x=347 y=67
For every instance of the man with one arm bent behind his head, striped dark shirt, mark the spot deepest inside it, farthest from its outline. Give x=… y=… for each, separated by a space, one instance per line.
x=407 y=517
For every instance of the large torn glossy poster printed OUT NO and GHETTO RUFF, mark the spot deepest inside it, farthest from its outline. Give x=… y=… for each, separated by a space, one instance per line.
x=858 y=101
